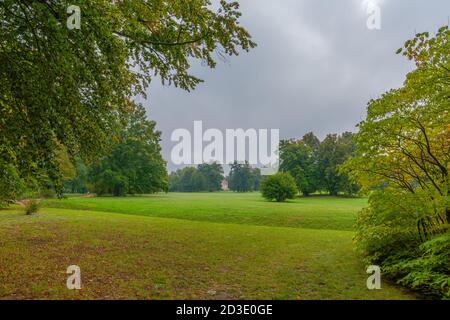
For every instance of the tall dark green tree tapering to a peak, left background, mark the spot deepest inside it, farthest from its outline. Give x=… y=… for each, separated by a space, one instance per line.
x=134 y=164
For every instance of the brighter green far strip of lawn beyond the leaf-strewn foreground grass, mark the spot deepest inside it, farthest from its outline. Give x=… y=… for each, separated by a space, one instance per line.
x=316 y=212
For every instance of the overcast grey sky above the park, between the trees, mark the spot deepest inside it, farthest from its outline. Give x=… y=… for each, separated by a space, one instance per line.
x=315 y=68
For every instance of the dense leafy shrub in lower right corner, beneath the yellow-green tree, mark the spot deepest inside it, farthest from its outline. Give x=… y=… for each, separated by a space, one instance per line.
x=388 y=235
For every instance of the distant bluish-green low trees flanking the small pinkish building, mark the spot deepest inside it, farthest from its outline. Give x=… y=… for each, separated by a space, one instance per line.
x=209 y=178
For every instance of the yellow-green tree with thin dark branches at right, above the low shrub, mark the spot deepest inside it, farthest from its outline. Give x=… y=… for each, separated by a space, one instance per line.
x=403 y=147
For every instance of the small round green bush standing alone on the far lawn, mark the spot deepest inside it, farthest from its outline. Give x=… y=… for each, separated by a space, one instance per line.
x=279 y=187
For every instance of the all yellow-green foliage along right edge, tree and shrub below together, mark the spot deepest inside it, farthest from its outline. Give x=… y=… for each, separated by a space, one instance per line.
x=403 y=152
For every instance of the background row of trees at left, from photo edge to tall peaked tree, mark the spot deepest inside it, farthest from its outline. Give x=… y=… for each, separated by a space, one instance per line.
x=131 y=165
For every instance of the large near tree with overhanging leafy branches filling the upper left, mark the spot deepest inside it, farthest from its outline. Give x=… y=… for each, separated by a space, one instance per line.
x=72 y=88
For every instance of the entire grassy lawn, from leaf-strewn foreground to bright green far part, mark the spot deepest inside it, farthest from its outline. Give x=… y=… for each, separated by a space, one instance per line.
x=186 y=246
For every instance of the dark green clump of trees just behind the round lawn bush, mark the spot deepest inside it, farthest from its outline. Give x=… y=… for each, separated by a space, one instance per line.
x=314 y=164
